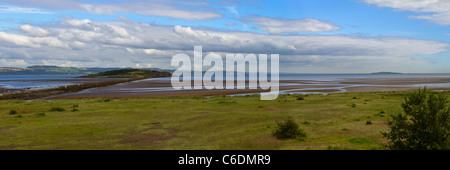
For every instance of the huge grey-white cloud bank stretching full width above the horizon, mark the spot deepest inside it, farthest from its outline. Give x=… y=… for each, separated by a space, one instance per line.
x=126 y=43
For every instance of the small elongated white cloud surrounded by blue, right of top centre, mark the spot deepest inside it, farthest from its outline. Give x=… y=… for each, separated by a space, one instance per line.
x=278 y=25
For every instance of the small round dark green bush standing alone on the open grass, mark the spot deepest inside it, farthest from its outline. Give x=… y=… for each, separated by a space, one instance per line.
x=288 y=129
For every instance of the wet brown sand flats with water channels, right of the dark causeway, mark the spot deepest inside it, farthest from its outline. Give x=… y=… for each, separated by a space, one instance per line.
x=163 y=87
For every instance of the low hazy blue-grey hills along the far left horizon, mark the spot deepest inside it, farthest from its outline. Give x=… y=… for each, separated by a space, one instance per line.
x=55 y=70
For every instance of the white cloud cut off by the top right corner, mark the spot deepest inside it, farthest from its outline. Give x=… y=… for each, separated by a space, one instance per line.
x=439 y=9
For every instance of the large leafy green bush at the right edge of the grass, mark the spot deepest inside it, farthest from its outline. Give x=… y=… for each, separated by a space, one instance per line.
x=424 y=125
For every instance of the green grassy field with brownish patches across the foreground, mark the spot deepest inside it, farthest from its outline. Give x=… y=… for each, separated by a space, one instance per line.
x=334 y=121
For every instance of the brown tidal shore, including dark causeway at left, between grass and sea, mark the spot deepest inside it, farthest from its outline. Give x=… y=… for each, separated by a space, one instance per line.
x=150 y=87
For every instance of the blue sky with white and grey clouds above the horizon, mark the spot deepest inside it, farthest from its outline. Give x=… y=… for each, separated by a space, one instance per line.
x=311 y=36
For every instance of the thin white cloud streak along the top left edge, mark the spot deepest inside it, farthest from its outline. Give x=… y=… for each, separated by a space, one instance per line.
x=166 y=8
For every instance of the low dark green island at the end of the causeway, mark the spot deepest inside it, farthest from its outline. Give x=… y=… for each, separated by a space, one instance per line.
x=129 y=73
